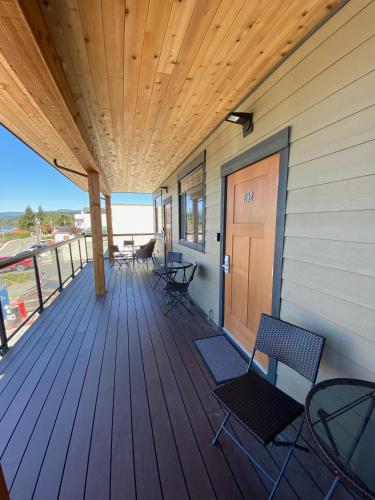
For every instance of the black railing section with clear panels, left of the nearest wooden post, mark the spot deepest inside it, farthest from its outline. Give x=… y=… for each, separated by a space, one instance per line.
x=61 y=261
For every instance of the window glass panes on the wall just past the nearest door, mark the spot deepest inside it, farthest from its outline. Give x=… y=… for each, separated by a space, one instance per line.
x=192 y=208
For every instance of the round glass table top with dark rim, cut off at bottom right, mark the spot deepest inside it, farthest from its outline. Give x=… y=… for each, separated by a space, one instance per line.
x=340 y=414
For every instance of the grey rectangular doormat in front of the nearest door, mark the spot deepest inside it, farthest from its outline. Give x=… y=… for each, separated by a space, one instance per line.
x=221 y=357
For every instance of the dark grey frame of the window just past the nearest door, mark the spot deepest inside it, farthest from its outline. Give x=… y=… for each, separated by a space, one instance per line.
x=198 y=162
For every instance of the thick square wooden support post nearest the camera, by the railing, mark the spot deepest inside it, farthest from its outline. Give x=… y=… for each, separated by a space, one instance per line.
x=96 y=230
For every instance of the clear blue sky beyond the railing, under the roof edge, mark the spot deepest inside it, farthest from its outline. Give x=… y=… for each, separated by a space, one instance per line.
x=26 y=179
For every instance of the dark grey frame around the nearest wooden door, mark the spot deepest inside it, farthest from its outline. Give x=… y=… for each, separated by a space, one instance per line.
x=277 y=143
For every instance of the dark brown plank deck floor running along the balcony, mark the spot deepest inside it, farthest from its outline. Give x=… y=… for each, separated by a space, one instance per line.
x=106 y=398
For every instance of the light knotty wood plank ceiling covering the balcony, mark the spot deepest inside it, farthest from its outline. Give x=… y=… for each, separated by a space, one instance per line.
x=148 y=79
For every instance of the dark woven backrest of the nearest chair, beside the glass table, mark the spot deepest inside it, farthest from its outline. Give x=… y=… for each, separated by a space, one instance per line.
x=296 y=347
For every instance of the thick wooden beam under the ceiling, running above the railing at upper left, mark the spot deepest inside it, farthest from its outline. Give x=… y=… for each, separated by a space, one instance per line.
x=30 y=59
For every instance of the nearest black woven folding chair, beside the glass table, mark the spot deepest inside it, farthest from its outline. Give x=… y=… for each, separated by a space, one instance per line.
x=263 y=409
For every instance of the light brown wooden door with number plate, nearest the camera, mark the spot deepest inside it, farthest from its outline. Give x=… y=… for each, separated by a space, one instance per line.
x=250 y=249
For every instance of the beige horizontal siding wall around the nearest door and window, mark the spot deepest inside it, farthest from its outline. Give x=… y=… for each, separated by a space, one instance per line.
x=325 y=92
